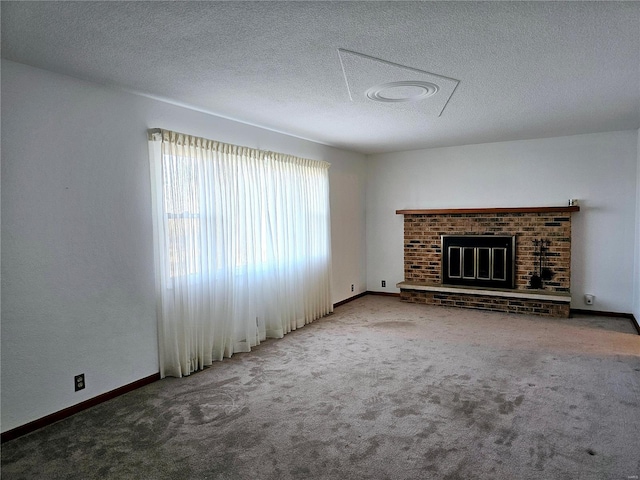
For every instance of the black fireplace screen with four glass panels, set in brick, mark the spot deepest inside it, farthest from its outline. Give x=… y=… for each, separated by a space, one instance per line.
x=478 y=260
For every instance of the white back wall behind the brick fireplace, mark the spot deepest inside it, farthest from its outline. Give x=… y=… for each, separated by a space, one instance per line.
x=598 y=169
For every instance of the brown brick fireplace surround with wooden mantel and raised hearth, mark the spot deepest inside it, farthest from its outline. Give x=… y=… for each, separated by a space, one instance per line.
x=541 y=261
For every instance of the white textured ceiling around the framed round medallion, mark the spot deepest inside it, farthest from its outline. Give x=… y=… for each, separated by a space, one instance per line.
x=525 y=69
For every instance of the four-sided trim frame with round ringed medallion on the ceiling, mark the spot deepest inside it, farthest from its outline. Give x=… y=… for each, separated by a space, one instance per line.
x=372 y=79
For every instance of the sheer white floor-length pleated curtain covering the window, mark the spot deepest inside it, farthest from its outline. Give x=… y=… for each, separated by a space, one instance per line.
x=242 y=247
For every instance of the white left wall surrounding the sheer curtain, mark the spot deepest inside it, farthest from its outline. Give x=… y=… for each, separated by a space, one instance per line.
x=77 y=260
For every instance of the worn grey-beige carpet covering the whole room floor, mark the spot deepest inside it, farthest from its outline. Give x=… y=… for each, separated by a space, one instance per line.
x=379 y=390
